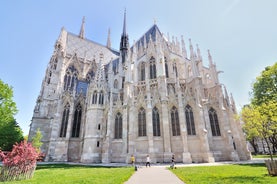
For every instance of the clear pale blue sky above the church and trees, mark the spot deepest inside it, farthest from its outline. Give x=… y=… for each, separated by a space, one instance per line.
x=241 y=36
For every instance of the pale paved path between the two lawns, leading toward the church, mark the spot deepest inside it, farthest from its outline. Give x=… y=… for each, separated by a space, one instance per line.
x=153 y=175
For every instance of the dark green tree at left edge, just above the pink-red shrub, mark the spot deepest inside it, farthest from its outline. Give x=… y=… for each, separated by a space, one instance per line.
x=10 y=133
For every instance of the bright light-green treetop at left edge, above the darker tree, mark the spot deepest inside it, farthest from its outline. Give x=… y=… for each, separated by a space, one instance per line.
x=7 y=105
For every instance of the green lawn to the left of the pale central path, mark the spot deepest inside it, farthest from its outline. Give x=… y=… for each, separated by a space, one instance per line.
x=63 y=173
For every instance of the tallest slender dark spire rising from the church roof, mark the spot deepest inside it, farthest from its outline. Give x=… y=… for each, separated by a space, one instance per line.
x=124 y=43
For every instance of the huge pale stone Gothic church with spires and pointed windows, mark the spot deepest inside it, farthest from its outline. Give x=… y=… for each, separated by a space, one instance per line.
x=101 y=105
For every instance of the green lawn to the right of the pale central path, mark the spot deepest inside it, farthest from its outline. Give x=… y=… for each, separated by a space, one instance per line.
x=227 y=174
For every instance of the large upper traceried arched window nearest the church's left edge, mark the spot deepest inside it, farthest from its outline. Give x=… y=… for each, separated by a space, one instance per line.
x=70 y=78
